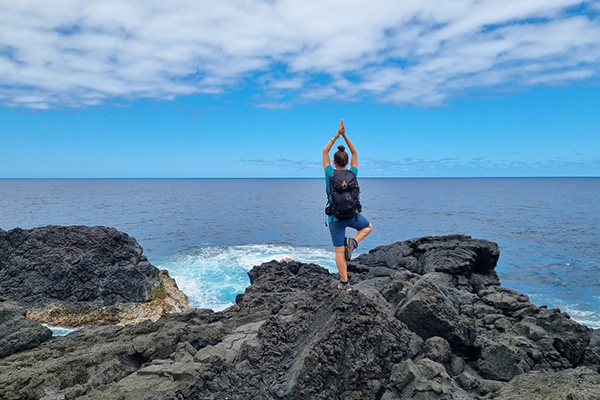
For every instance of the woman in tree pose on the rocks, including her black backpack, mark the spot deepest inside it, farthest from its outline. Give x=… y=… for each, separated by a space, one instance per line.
x=343 y=205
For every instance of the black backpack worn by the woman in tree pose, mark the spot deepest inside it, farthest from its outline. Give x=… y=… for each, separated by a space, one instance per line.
x=344 y=190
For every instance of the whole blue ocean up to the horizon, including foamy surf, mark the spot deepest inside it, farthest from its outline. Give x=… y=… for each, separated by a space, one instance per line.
x=209 y=232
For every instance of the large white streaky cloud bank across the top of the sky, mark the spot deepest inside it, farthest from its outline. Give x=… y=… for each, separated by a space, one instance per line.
x=74 y=53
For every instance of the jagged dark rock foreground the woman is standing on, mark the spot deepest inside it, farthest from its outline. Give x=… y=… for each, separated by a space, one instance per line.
x=427 y=319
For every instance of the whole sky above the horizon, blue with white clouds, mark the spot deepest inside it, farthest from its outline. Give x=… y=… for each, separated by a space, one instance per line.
x=256 y=88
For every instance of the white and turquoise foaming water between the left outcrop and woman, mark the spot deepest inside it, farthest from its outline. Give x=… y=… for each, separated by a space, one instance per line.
x=211 y=276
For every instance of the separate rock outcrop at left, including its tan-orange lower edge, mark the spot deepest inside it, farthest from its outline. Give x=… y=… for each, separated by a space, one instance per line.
x=78 y=275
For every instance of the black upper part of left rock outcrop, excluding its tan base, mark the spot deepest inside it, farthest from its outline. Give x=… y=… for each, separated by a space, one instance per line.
x=96 y=266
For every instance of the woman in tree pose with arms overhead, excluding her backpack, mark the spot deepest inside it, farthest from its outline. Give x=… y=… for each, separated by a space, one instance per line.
x=337 y=227
